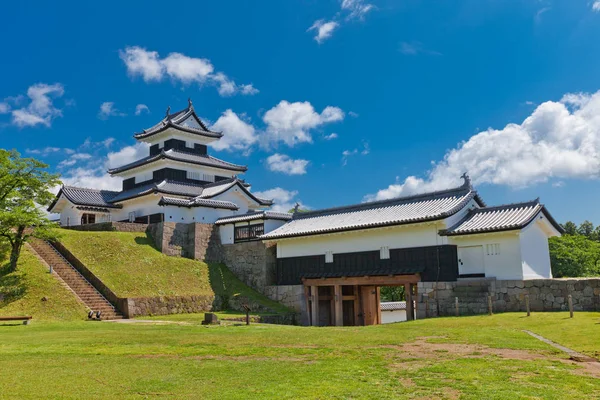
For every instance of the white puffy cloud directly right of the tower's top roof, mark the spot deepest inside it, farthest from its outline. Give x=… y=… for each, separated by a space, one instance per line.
x=237 y=133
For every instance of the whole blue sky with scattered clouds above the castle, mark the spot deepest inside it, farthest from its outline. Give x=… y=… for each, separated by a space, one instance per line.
x=416 y=92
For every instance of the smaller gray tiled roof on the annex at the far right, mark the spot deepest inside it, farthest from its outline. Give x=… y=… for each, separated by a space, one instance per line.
x=500 y=218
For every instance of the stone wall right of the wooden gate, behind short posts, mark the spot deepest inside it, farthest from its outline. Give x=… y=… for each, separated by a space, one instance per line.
x=507 y=295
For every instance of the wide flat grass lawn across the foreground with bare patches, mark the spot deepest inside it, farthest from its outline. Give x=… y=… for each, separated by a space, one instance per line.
x=469 y=357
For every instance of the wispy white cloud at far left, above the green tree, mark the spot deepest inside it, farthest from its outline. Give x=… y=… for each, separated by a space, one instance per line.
x=40 y=110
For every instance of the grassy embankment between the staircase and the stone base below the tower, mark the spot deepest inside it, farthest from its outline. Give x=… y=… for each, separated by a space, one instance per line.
x=128 y=263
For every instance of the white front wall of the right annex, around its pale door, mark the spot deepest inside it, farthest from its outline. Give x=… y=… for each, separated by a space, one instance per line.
x=506 y=264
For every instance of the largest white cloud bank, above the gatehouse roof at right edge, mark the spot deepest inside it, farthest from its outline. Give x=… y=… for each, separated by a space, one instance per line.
x=559 y=140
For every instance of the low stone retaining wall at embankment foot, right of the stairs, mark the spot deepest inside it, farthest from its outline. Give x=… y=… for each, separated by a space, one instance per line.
x=142 y=306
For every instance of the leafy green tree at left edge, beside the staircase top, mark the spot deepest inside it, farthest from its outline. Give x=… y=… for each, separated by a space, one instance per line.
x=25 y=186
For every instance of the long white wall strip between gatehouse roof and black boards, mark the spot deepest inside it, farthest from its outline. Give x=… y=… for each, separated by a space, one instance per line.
x=414 y=235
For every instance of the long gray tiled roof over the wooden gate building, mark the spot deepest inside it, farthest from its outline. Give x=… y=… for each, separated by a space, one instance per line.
x=397 y=211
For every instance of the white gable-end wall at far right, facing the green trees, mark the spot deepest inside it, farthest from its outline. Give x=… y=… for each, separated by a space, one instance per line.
x=535 y=253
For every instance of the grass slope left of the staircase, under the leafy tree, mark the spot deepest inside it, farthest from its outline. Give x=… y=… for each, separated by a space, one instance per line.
x=24 y=289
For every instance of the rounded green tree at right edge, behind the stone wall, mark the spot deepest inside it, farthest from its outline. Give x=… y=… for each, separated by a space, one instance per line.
x=574 y=256
